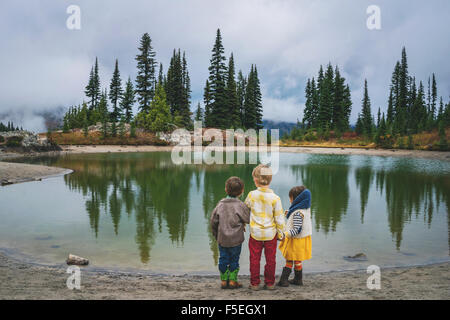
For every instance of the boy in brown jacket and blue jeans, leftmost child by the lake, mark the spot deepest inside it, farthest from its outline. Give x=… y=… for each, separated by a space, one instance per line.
x=228 y=226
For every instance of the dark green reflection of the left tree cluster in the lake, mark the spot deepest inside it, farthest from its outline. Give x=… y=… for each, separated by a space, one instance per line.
x=149 y=186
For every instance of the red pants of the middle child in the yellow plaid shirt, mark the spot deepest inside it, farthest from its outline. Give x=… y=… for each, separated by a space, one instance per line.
x=270 y=251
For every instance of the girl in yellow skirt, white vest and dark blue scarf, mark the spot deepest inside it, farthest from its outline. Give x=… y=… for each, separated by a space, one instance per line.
x=296 y=243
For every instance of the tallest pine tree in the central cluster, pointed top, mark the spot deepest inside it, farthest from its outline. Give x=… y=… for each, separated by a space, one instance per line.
x=217 y=76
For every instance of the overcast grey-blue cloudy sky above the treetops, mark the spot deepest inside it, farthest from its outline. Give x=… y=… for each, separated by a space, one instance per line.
x=43 y=64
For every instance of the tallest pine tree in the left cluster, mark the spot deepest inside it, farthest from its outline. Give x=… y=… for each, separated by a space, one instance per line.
x=145 y=80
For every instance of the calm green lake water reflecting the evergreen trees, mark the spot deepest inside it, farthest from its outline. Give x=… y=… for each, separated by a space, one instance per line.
x=139 y=211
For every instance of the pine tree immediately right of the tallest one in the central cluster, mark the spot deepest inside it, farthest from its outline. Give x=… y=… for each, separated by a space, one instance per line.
x=234 y=118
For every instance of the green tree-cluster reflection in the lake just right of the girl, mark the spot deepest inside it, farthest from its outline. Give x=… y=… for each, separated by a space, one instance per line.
x=327 y=178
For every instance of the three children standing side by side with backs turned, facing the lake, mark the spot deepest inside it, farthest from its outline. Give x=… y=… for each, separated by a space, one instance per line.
x=268 y=225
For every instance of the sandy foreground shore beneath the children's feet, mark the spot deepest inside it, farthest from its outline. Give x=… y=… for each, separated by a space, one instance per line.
x=25 y=281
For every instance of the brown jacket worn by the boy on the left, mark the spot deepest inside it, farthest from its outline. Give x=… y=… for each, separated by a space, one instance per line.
x=228 y=221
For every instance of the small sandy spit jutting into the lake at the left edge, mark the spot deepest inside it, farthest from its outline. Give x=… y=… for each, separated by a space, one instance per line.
x=19 y=172
